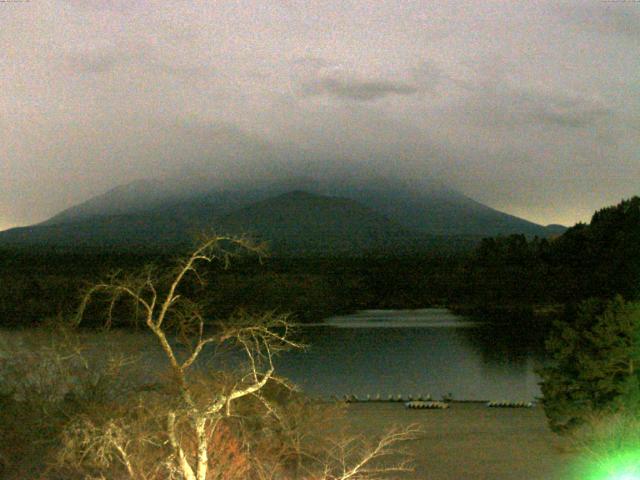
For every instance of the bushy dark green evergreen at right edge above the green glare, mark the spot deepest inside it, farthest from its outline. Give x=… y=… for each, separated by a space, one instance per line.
x=594 y=363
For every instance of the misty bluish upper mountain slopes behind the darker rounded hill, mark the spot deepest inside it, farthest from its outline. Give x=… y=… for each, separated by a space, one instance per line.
x=429 y=209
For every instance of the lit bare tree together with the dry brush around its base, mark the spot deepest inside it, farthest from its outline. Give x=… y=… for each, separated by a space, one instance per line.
x=197 y=411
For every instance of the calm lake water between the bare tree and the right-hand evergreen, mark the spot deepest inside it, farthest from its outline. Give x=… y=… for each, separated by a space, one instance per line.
x=415 y=352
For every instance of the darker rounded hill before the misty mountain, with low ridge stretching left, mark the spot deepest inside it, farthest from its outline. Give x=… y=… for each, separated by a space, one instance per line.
x=295 y=222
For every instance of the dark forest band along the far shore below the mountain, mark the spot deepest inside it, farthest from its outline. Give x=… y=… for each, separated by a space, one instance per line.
x=41 y=284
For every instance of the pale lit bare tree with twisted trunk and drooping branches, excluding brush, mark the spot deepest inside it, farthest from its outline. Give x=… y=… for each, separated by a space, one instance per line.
x=259 y=338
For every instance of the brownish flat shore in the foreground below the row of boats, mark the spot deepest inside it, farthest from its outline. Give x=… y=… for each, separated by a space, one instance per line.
x=469 y=441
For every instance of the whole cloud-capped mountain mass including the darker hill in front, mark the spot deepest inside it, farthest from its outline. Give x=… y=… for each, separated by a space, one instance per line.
x=296 y=216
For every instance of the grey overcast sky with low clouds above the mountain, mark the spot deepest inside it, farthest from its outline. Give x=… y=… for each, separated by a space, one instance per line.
x=530 y=107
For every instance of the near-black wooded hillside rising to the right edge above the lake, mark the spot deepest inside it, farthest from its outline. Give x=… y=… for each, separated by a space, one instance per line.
x=598 y=260
